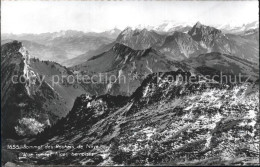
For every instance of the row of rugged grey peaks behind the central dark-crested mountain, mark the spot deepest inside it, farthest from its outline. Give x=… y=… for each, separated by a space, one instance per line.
x=179 y=45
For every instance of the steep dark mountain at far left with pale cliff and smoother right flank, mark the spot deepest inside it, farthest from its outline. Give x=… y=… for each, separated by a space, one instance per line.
x=35 y=93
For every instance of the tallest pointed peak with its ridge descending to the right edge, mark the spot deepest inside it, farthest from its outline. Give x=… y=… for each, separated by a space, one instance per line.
x=213 y=40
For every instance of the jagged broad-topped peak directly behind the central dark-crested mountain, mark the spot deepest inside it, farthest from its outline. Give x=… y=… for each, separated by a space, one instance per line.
x=140 y=39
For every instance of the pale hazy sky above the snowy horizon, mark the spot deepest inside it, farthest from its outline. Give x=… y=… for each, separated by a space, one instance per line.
x=50 y=16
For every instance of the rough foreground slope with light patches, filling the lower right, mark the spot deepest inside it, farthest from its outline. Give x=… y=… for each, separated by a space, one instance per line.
x=163 y=122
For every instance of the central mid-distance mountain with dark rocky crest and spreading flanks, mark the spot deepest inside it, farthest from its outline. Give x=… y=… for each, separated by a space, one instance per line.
x=127 y=65
